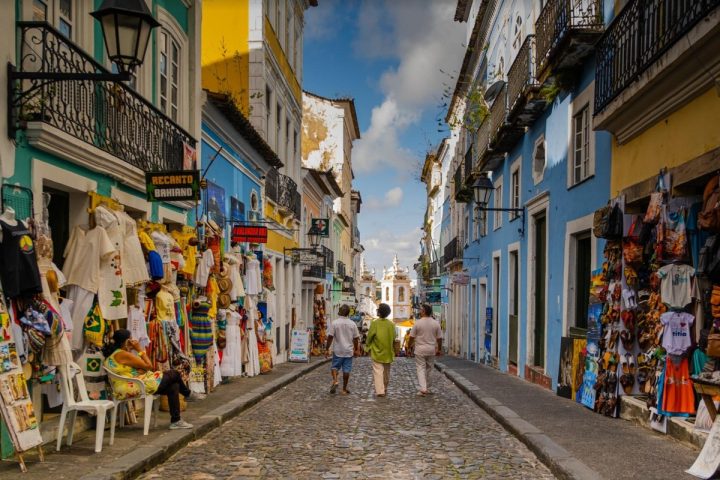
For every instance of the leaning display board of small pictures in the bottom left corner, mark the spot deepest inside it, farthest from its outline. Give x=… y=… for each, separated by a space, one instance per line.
x=15 y=403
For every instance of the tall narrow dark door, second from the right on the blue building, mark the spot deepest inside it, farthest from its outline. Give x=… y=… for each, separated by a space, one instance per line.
x=539 y=255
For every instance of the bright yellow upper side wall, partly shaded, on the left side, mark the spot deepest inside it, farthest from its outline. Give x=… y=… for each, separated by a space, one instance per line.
x=225 y=49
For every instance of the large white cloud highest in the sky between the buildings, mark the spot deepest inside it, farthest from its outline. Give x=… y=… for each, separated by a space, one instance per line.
x=423 y=37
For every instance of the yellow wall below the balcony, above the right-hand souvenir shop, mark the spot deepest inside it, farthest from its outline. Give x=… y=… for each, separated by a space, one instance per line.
x=684 y=135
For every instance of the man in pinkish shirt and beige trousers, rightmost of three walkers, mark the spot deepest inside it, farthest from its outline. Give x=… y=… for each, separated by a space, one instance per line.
x=428 y=343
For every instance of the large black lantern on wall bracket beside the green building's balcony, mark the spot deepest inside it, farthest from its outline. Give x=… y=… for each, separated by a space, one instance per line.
x=126 y=26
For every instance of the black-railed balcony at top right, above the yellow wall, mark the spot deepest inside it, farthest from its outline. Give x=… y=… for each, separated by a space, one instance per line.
x=648 y=62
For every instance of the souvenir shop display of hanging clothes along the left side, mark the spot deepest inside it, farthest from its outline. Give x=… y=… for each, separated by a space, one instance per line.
x=194 y=304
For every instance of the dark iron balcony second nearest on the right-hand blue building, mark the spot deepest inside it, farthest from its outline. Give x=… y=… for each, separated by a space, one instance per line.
x=524 y=104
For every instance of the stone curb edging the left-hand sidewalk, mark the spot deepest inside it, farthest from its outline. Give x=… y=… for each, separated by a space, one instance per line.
x=154 y=453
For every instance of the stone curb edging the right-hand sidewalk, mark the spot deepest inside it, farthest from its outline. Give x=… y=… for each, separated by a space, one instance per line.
x=556 y=458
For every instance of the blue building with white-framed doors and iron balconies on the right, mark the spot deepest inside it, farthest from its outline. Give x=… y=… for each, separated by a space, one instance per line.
x=531 y=136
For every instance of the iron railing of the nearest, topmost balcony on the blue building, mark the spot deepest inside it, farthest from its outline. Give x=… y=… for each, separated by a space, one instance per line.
x=558 y=18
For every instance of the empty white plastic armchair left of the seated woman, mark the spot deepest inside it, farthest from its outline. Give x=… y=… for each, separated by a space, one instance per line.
x=71 y=406
